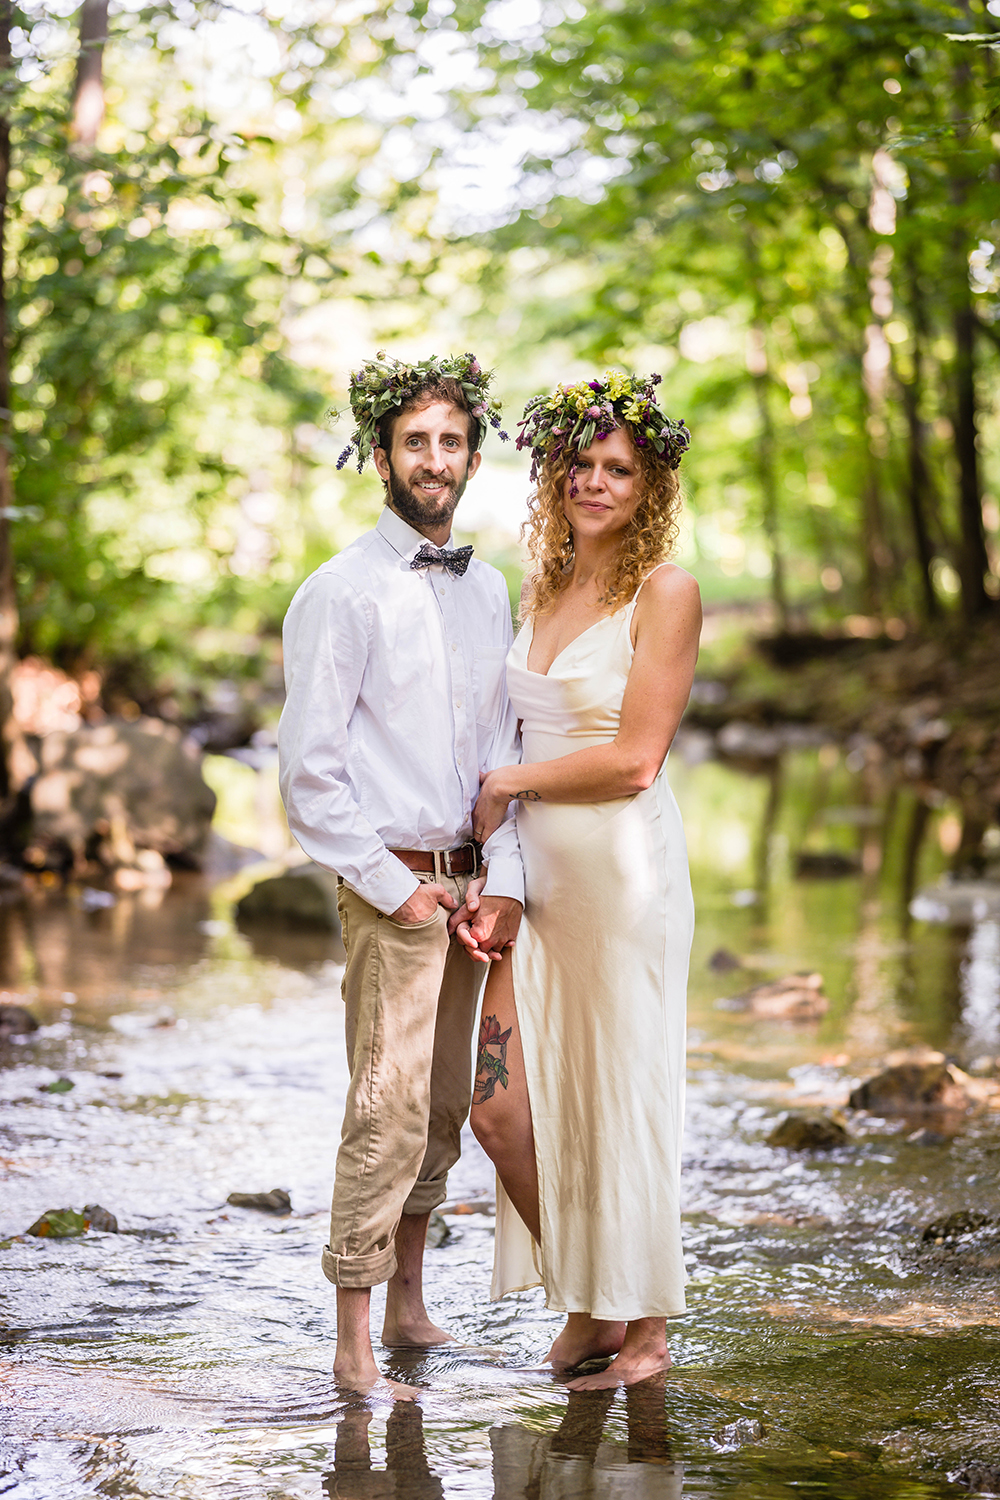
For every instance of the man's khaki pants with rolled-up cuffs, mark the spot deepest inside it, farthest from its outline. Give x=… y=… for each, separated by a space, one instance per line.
x=410 y=995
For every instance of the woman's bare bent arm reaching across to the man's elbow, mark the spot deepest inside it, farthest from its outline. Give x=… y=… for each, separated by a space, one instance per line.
x=668 y=625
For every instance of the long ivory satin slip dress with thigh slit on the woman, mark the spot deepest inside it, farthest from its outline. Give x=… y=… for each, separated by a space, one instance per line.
x=600 y=982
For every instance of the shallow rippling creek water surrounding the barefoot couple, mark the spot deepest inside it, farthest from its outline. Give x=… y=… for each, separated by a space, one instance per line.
x=191 y=1354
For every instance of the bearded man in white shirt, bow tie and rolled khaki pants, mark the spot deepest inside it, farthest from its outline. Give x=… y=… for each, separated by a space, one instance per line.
x=397 y=703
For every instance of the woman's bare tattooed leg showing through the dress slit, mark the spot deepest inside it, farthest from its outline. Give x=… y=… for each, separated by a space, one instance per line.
x=501 y=1114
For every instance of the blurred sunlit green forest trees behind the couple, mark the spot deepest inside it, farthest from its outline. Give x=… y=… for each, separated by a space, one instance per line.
x=212 y=212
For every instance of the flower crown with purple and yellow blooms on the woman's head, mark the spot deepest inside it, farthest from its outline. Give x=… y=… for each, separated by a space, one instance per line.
x=573 y=416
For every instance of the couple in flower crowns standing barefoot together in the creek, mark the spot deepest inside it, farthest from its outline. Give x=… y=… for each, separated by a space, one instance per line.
x=500 y=809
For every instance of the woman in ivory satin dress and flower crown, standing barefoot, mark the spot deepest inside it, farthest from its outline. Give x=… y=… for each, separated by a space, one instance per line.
x=581 y=1078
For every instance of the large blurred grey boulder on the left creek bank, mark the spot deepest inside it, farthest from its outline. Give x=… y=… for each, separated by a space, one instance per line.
x=115 y=790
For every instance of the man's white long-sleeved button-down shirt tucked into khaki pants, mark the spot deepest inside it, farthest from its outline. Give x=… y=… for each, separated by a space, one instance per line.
x=397 y=701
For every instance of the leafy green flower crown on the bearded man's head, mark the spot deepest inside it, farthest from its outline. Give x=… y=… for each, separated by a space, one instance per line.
x=385 y=383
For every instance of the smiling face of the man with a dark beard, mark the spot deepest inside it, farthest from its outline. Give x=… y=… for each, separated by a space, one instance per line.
x=430 y=466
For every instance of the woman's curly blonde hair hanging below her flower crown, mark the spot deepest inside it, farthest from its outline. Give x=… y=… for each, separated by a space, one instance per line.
x=650 y=538
